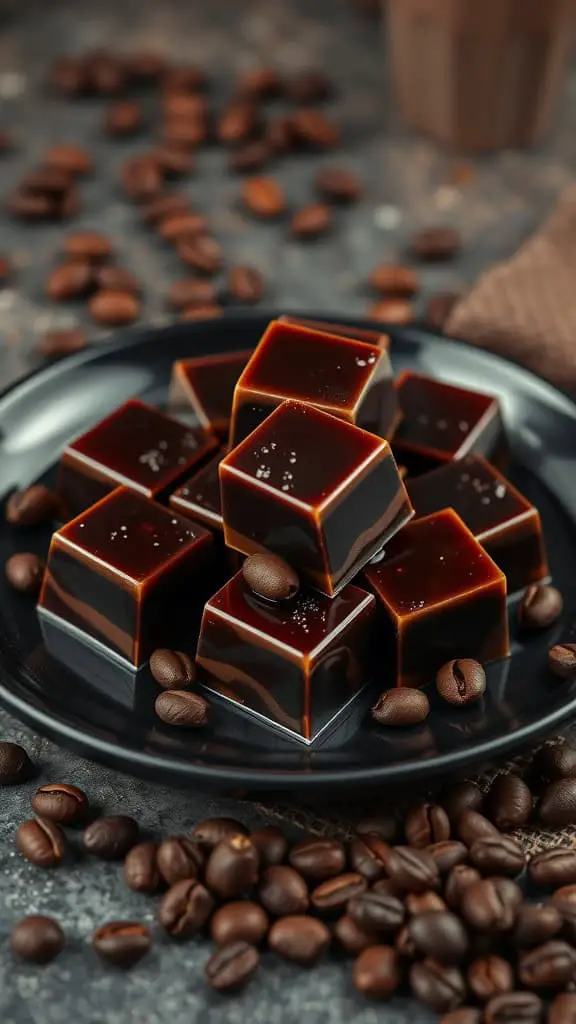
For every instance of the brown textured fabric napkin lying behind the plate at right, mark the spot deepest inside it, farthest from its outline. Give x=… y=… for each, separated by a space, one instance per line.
x=526 y=308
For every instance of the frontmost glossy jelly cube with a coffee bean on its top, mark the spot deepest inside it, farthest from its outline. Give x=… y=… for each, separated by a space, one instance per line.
x=298 y=665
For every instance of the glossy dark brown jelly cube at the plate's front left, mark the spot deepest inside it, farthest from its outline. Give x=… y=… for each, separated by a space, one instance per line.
x=131 y=574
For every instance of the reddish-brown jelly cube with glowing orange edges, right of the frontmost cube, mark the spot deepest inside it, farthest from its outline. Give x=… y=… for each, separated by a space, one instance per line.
x=441 y=598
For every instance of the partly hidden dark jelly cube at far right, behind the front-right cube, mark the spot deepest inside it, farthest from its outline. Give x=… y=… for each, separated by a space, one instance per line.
x=502 y=520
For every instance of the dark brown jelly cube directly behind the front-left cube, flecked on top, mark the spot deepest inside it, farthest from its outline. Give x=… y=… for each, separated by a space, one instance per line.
x=137 y=447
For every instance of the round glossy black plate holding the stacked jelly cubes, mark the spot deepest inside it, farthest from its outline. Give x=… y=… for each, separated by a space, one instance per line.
x=42 y=414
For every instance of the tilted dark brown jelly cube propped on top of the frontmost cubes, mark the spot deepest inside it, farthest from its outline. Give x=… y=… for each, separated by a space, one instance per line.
x=319 y=492
